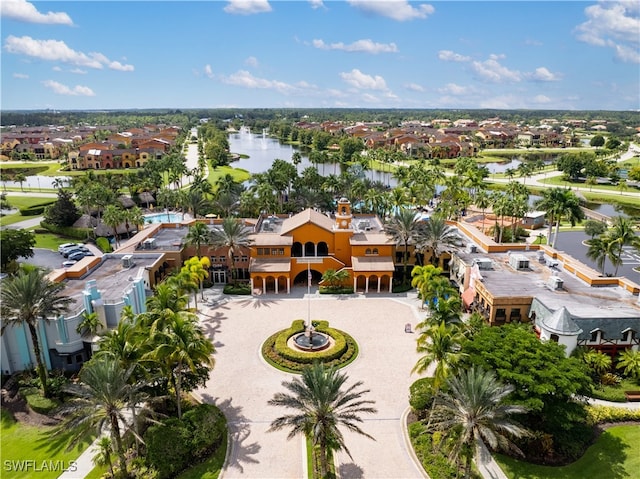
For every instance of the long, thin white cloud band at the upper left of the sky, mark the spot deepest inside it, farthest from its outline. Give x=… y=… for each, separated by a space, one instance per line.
x=57 y=50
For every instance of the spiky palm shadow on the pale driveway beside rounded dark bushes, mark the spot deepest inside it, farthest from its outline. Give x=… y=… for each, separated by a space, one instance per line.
x=239 y=431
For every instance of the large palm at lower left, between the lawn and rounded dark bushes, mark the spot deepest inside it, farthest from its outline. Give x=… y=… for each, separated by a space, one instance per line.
x=102 y=395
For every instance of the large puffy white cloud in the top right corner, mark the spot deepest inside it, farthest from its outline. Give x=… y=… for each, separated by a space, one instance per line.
x=613 y=24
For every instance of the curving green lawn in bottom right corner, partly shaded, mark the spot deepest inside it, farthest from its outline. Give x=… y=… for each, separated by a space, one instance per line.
x=615 y=455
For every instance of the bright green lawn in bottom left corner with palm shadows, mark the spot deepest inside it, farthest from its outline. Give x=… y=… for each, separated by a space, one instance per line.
x=35 y=450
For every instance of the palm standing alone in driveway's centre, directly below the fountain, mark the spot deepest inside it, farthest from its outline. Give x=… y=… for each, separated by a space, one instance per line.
x=321 y=407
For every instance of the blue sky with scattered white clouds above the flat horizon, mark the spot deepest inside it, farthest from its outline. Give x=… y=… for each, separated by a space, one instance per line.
x=352 y=54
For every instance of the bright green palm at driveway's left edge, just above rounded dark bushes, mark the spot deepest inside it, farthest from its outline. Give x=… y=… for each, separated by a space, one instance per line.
x=181 y=347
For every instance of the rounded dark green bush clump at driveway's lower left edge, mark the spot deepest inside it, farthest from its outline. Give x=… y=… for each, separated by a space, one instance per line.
x=177 y=444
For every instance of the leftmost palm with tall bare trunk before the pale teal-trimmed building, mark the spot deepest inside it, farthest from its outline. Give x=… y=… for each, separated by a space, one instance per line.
x=28 y=299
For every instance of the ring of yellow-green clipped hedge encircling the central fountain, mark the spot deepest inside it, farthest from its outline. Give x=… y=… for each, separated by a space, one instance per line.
x=275 y=348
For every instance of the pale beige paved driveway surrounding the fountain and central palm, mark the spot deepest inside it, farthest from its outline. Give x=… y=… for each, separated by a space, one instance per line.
x=242 y=383
